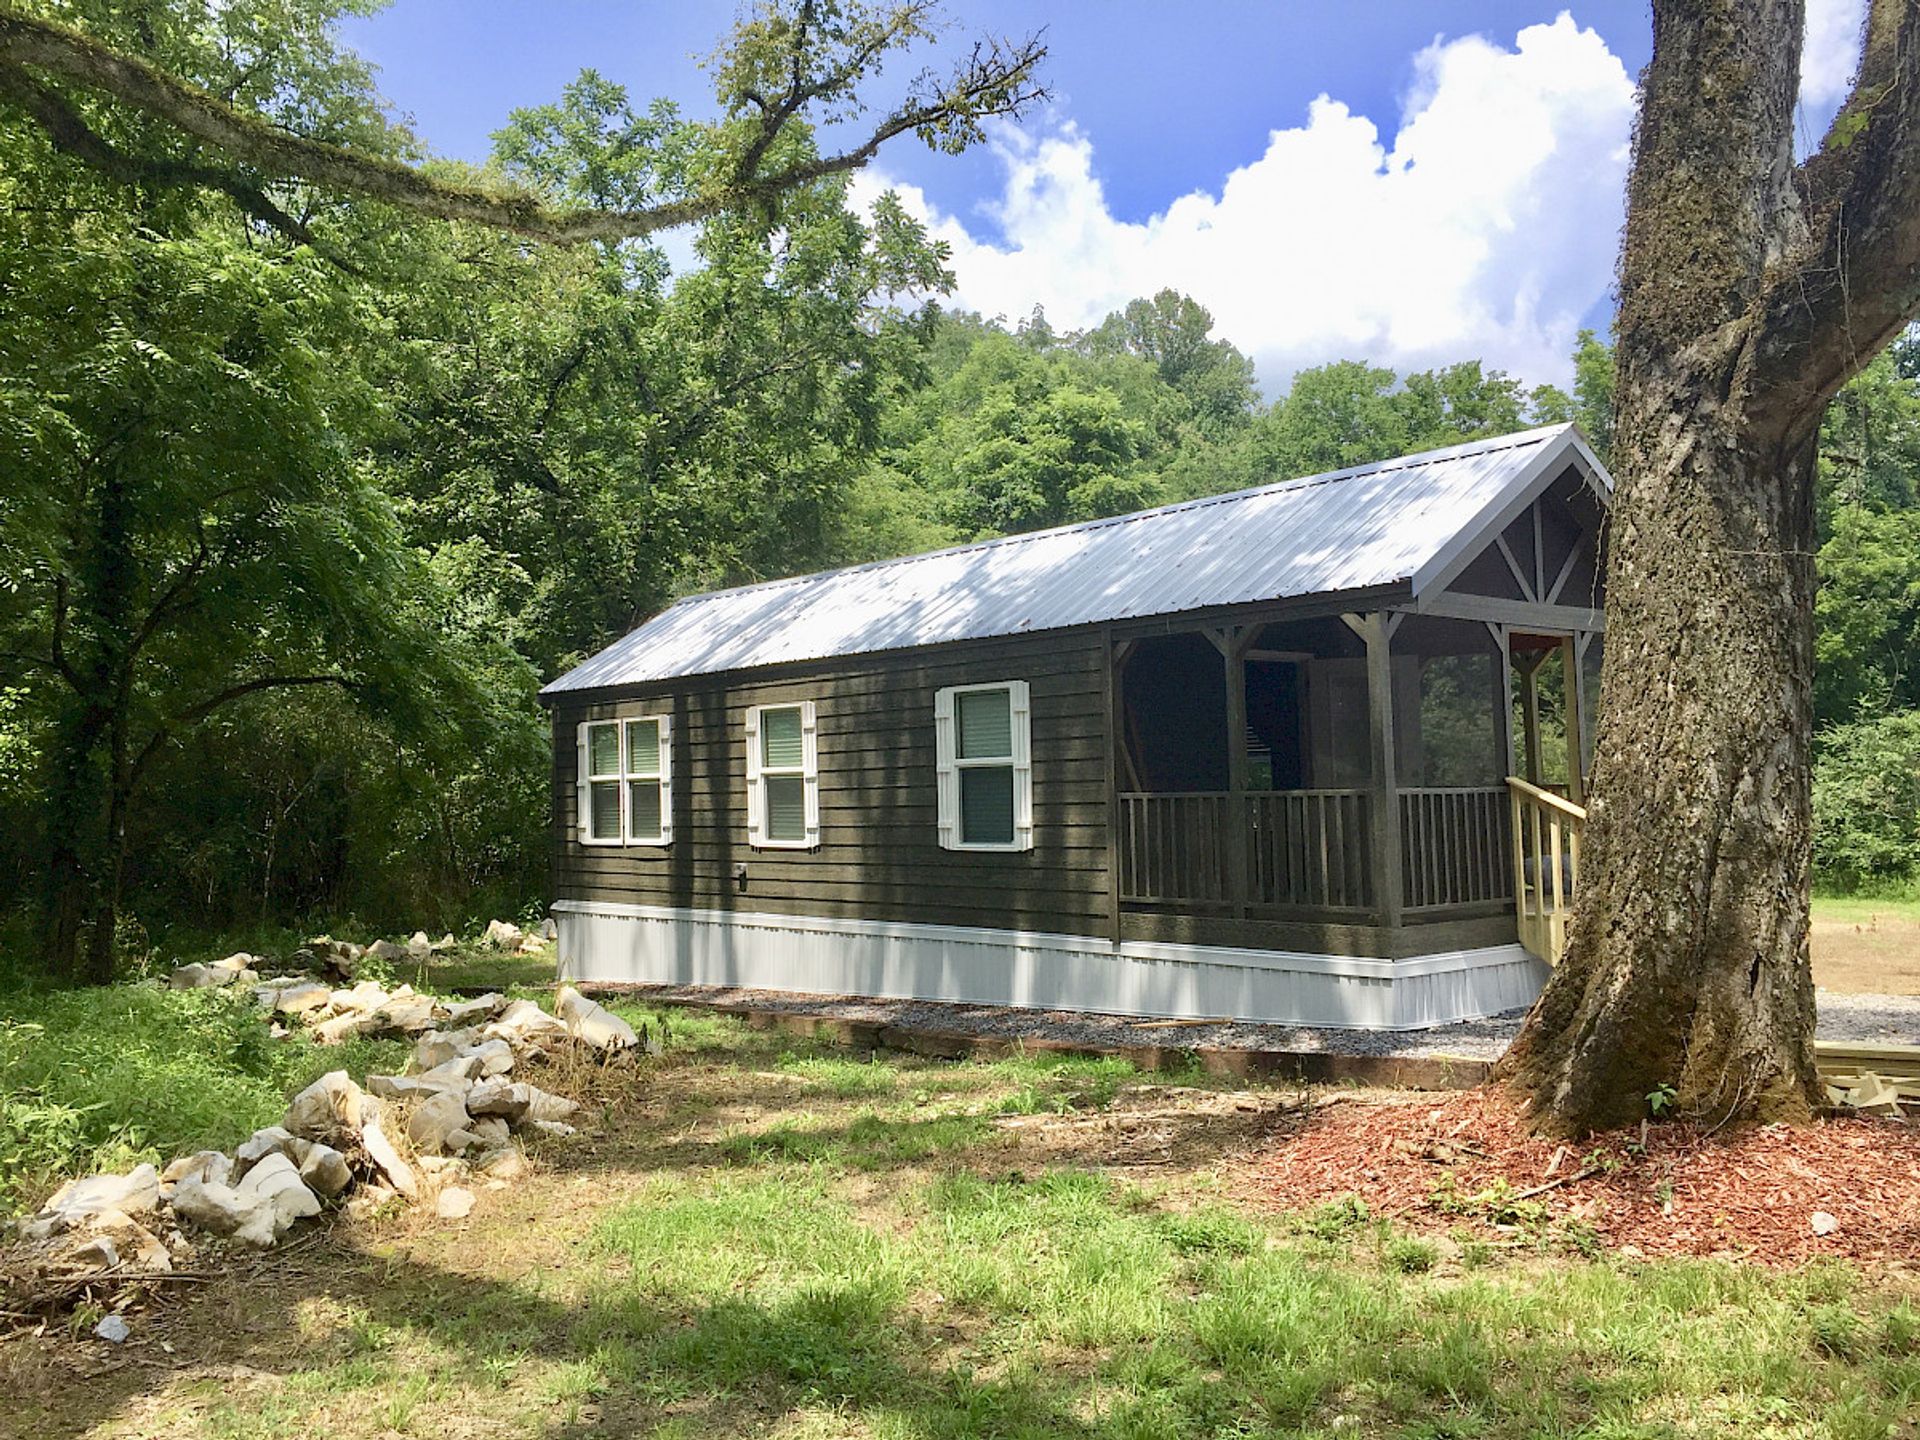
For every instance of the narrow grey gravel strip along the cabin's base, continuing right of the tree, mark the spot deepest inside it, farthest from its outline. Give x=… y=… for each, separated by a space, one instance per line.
x=1867 y=1019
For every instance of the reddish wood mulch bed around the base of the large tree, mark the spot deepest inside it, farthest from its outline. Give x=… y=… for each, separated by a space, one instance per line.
x=1746 y=1195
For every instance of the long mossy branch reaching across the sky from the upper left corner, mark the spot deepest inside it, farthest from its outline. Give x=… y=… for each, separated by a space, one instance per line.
x=996 y=82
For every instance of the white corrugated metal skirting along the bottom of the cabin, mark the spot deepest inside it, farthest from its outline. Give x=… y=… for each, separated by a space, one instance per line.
x=642 y=944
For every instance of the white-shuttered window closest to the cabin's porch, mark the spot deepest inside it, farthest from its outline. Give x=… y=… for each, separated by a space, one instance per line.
x=986 y=775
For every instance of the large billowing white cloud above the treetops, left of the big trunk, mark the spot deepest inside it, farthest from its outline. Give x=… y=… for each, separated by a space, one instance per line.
x=1485 y=228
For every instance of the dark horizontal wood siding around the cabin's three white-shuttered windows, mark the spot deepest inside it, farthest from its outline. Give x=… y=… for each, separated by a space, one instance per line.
x=878 y=855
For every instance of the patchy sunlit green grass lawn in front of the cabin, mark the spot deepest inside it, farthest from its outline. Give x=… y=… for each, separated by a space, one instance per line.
x=775 y=1241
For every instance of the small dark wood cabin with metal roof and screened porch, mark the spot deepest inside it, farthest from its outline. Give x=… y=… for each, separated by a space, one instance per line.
x=1264 y=756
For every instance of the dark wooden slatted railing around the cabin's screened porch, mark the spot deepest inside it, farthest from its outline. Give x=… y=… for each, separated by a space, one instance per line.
x=1312 y=850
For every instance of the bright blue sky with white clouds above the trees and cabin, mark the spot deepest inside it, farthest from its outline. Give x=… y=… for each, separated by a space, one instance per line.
x=1383 y=180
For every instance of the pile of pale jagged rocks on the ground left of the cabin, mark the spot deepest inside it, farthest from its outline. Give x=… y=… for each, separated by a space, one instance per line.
x=450 y=1122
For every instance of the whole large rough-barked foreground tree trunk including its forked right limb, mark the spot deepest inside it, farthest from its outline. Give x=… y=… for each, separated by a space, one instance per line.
x=1750 y=291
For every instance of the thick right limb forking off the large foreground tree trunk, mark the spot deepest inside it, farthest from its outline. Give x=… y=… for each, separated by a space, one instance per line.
x=1854 y=281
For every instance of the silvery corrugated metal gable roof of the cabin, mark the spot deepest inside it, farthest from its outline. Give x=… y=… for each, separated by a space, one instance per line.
x=1360 y=529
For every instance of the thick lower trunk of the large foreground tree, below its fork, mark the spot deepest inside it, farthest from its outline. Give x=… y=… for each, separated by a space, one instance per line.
x=1689 y=951
